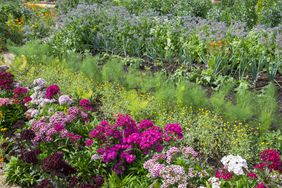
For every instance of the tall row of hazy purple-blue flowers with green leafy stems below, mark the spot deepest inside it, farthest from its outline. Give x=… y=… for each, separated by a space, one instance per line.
x=178 y=40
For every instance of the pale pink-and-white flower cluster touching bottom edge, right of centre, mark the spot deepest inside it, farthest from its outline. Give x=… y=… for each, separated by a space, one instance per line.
x=173 y=175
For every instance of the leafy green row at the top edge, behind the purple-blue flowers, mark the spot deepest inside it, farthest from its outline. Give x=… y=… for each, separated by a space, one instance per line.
x=252 y=12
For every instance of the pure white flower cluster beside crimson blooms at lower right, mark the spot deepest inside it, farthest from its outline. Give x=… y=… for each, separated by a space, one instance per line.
x=235 y=164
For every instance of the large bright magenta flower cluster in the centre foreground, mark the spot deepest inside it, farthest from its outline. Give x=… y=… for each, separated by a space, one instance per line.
x=122 y=141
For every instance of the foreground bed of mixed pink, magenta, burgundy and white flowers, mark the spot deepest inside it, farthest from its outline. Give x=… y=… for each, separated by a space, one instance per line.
x=57 y=144
